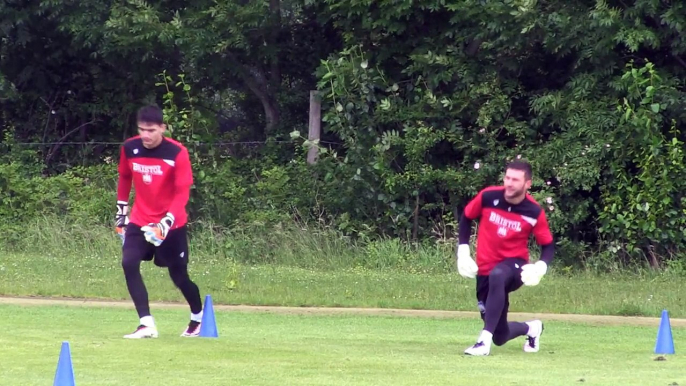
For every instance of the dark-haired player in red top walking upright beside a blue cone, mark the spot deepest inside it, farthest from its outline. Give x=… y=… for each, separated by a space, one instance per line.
x=159 y=169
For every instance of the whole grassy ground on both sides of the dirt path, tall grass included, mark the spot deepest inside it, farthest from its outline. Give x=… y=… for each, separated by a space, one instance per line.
x=350 y=347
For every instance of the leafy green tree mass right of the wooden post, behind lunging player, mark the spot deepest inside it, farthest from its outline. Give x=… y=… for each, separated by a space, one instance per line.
x=425 y=90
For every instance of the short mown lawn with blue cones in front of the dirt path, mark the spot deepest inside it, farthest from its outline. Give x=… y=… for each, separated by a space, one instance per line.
x=289 y=349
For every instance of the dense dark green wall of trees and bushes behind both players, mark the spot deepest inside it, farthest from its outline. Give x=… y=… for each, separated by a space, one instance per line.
x=425 y=101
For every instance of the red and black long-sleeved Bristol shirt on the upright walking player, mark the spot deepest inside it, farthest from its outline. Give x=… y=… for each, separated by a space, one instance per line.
x=161 y=178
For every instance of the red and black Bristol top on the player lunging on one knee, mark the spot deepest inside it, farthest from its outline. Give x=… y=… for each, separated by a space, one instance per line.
x=504 y=228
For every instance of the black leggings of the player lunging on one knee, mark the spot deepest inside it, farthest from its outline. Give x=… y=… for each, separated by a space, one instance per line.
x=492 y=294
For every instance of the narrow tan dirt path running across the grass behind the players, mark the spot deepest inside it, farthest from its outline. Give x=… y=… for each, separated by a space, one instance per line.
x=514 y=316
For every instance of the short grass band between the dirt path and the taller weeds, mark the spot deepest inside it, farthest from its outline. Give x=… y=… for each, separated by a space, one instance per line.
x=100 y=276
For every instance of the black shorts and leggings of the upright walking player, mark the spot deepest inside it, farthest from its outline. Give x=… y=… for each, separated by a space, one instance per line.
x=172 y=253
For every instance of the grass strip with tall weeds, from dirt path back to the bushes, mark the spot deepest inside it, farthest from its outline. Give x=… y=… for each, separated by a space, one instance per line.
x=312 y=268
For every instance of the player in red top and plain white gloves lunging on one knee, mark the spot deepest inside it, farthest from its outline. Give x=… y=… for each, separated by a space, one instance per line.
x=508 y=216
